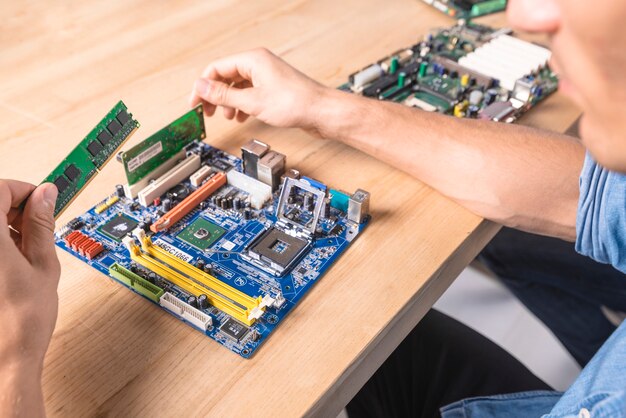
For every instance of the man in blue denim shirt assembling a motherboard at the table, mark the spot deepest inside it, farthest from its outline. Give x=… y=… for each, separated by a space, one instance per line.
x=521 y=177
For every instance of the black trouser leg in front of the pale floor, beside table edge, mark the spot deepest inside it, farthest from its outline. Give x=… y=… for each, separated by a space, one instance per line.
x=441 y=361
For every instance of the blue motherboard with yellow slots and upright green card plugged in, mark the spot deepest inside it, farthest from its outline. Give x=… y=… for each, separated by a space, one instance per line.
x=228 y=245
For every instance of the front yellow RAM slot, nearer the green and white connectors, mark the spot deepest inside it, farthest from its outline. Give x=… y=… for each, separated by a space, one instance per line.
x=237 y=312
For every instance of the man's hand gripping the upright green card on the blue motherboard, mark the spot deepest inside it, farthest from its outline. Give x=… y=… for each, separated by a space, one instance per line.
x=260 y=84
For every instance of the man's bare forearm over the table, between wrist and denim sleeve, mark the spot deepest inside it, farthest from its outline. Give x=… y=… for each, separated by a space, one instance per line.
x=518 y=176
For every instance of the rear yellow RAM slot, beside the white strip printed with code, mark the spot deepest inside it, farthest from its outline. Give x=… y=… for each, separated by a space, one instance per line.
x=200 y=276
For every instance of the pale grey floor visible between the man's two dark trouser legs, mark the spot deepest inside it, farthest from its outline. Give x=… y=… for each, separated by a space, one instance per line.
x=485 y=305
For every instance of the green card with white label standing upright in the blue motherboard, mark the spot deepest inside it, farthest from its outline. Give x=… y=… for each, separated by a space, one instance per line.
x=145 y=157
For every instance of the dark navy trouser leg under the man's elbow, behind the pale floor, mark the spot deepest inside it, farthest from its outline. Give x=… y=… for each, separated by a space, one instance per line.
x=564 y=289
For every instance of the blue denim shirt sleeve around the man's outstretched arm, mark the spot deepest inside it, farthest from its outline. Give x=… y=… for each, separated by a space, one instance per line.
x=601 y=218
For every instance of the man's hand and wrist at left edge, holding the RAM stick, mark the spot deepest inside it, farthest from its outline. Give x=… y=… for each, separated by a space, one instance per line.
x=29 y=275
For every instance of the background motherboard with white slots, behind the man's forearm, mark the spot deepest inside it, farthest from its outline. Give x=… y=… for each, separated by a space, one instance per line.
x=468 y=71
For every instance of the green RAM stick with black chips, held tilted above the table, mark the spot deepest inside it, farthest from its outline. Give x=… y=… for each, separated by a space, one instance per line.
x=91 y=154
